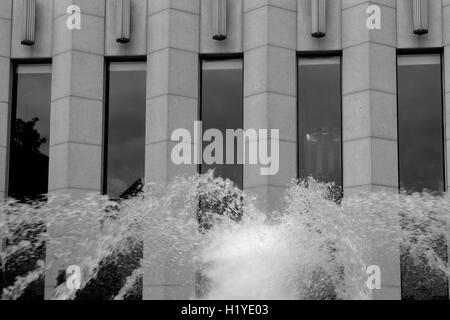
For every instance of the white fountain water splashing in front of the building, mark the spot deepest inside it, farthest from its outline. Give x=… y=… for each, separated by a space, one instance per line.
x=205 y=228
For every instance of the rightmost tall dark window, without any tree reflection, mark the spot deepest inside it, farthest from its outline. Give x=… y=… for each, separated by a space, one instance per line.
x=420 y=121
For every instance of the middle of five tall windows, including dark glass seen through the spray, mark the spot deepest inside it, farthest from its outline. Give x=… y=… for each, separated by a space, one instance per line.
x=221 y=109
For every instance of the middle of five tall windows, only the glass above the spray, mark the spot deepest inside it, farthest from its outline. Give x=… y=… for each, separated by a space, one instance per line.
x=222 y=109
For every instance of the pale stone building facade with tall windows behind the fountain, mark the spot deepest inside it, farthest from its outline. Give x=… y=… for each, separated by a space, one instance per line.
x=163 y=54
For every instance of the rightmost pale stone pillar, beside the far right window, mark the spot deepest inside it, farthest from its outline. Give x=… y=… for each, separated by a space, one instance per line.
x=369 y=117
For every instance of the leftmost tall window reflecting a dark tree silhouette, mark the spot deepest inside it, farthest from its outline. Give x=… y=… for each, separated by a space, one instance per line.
x=28 y=170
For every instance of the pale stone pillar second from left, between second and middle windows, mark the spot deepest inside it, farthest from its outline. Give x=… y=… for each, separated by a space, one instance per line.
x=172 y=103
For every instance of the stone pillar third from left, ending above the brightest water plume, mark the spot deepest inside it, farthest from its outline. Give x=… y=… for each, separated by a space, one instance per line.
x=270 y=42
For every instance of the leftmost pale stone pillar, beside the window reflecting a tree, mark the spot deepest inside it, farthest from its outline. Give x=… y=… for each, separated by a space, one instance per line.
x=76 y=113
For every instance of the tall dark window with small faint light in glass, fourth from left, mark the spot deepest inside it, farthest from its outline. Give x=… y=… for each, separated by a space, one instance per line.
x=320 y=120
